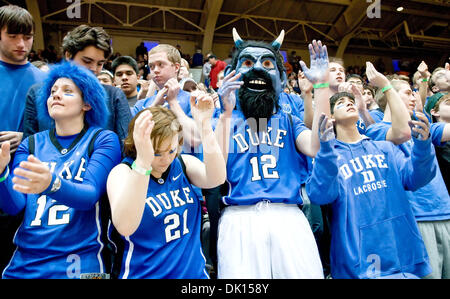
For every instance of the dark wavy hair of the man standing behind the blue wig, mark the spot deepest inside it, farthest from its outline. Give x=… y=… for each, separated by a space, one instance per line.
x=84 y=36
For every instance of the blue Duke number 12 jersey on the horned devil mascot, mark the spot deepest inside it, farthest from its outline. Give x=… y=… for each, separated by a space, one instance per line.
x=265 y=165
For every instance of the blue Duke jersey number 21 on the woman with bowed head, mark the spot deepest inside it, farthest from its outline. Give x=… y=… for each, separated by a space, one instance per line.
x=167 y=241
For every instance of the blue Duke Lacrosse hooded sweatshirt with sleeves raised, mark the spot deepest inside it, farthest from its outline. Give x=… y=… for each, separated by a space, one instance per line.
x=373 y=229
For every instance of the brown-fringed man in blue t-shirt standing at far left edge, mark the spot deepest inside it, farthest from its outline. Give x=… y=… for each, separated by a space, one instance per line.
x=18 y=75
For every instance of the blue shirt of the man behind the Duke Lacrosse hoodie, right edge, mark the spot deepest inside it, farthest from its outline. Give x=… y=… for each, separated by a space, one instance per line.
x=431 y=202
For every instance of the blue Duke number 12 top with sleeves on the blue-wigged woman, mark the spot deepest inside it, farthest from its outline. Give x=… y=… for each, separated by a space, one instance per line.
x=60 y=236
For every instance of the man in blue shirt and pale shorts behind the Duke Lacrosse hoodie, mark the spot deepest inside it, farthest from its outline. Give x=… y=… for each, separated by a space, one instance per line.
x=431 y=203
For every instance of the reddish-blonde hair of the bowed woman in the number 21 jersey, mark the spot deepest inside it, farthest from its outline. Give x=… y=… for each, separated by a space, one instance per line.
x=166 y=126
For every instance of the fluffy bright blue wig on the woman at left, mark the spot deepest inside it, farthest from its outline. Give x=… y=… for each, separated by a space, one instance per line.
x=93 y=93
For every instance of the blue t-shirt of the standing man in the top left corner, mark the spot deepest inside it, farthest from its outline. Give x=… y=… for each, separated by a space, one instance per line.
x=15 y=83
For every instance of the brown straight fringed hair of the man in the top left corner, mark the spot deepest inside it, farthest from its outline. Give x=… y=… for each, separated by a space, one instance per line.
x=17 y=20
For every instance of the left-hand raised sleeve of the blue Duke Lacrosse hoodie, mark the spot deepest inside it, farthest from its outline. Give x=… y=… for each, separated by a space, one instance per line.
x=322 y=186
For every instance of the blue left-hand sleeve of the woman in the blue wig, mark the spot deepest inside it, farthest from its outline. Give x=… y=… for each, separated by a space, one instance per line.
x=13 y=202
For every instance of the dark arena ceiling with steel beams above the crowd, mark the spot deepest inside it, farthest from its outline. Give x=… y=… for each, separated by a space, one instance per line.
x=363 y=26
